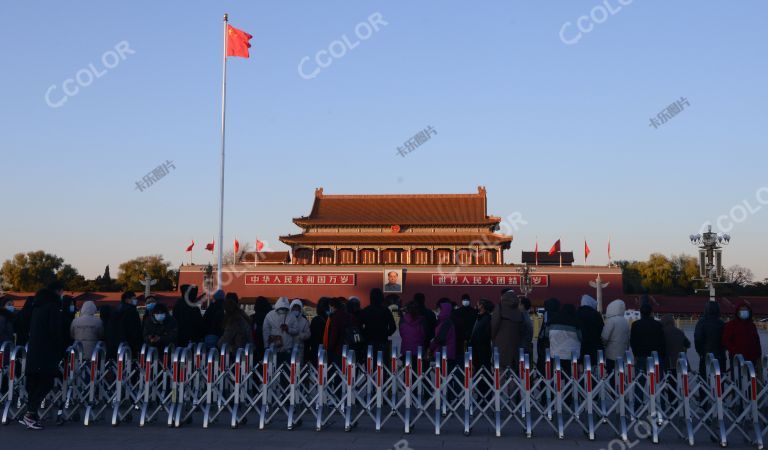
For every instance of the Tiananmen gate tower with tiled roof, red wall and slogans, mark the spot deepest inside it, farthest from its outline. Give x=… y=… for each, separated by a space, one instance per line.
x=443 y=245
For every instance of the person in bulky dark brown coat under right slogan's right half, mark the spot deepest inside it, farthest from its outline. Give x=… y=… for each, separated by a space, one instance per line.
x=507 y=329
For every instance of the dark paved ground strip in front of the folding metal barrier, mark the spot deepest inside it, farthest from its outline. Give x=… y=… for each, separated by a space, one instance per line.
x=156 y=436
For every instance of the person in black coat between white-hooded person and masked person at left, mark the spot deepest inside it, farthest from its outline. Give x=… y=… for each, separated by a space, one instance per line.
x=124 y=326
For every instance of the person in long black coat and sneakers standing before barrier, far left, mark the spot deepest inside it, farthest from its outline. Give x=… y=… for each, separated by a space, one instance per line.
x=45 y=350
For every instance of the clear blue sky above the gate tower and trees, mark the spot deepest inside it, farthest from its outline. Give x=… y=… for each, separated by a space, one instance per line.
x=559 y=133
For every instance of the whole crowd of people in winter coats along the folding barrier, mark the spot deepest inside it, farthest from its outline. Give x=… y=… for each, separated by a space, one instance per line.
x=48 y=324
